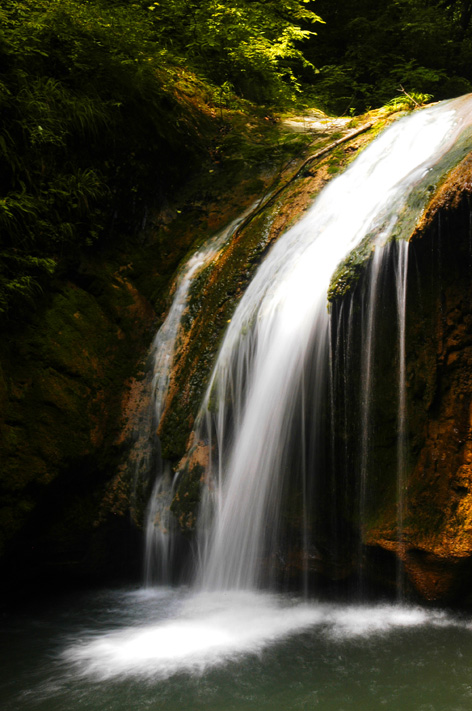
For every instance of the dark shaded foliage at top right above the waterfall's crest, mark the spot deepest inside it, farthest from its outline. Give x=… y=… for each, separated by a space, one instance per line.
x=367 y=49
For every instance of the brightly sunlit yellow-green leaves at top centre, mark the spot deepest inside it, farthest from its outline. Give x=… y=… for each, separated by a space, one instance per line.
x=252 y=45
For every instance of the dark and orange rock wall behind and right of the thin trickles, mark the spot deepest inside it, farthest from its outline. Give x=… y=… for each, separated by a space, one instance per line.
x=428 y=546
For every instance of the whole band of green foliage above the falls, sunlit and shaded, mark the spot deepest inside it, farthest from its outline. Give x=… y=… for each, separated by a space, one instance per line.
x=108 y=107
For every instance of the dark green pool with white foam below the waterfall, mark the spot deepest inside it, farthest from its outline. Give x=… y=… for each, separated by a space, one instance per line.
x=171 y=649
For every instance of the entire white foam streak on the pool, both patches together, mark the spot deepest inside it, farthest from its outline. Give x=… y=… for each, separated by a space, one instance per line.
x=211 y=629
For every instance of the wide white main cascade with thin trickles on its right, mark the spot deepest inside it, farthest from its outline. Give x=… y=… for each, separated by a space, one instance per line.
x=266 y=412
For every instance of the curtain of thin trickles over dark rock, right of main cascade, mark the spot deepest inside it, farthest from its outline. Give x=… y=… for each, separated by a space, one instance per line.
x=368 y=383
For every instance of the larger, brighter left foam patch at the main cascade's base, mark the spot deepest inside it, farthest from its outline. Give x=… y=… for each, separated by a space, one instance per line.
x=209 y=630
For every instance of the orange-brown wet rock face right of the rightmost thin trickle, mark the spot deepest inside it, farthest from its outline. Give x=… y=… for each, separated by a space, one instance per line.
x=434 y=542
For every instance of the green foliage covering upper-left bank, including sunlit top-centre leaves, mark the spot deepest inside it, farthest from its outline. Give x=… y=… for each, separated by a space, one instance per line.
x=106 y=107
